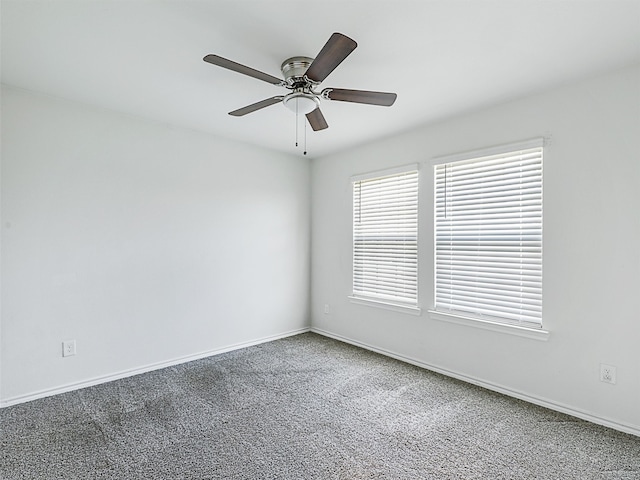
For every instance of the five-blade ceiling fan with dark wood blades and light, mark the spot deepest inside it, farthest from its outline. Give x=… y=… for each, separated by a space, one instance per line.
x=302 y=75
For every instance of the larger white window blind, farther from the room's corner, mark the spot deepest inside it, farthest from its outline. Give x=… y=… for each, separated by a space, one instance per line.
x=488 y=237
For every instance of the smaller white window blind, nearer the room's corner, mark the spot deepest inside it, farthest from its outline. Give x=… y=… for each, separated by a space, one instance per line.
x=385 y=237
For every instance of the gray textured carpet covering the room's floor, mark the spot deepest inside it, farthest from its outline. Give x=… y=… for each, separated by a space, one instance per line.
x=305 y=407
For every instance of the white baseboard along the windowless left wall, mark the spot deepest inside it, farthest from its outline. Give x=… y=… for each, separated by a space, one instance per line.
x=147 y=368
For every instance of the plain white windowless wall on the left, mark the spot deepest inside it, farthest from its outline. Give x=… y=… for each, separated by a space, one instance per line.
x=142 y=242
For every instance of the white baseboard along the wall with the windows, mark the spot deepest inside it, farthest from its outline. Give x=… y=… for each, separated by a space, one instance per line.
x=543 y=402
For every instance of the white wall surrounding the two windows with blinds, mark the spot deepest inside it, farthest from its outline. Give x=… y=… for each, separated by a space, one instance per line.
x=591 y=251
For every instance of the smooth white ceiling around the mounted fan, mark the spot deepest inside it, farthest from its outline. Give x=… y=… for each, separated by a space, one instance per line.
x=442 y=57
